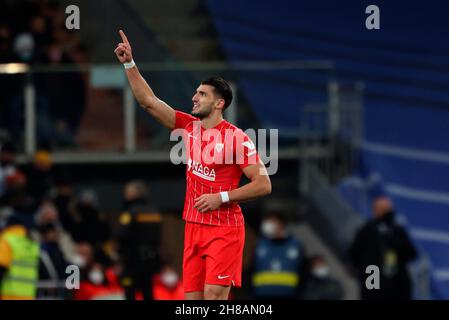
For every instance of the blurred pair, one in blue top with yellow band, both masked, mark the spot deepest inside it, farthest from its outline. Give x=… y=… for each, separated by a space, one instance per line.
x=282 y=269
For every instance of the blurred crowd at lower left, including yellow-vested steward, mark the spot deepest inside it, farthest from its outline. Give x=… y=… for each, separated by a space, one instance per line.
x=46 y=227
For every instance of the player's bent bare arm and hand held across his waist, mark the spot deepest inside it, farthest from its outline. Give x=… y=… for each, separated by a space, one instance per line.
x=259 y=185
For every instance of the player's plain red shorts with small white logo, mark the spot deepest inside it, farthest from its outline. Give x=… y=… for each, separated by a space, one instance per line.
x=212 y=255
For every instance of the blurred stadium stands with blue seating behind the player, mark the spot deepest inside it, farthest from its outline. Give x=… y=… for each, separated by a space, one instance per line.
x=359 y=112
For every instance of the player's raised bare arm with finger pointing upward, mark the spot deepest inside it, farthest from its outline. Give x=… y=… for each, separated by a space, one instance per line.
x=160 y=110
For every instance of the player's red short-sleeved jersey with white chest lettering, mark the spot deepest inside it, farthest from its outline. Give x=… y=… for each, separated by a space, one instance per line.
x=215 y=159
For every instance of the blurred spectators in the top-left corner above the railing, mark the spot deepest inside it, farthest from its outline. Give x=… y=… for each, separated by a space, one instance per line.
x=38 y=34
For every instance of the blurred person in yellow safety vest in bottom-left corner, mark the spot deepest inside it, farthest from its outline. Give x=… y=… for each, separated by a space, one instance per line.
x=19 y=262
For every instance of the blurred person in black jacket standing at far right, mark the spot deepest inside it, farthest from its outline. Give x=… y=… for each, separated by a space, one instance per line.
x=385 y=244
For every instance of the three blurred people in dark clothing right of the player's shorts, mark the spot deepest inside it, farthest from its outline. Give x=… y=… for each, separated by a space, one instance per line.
x=378 y=258
